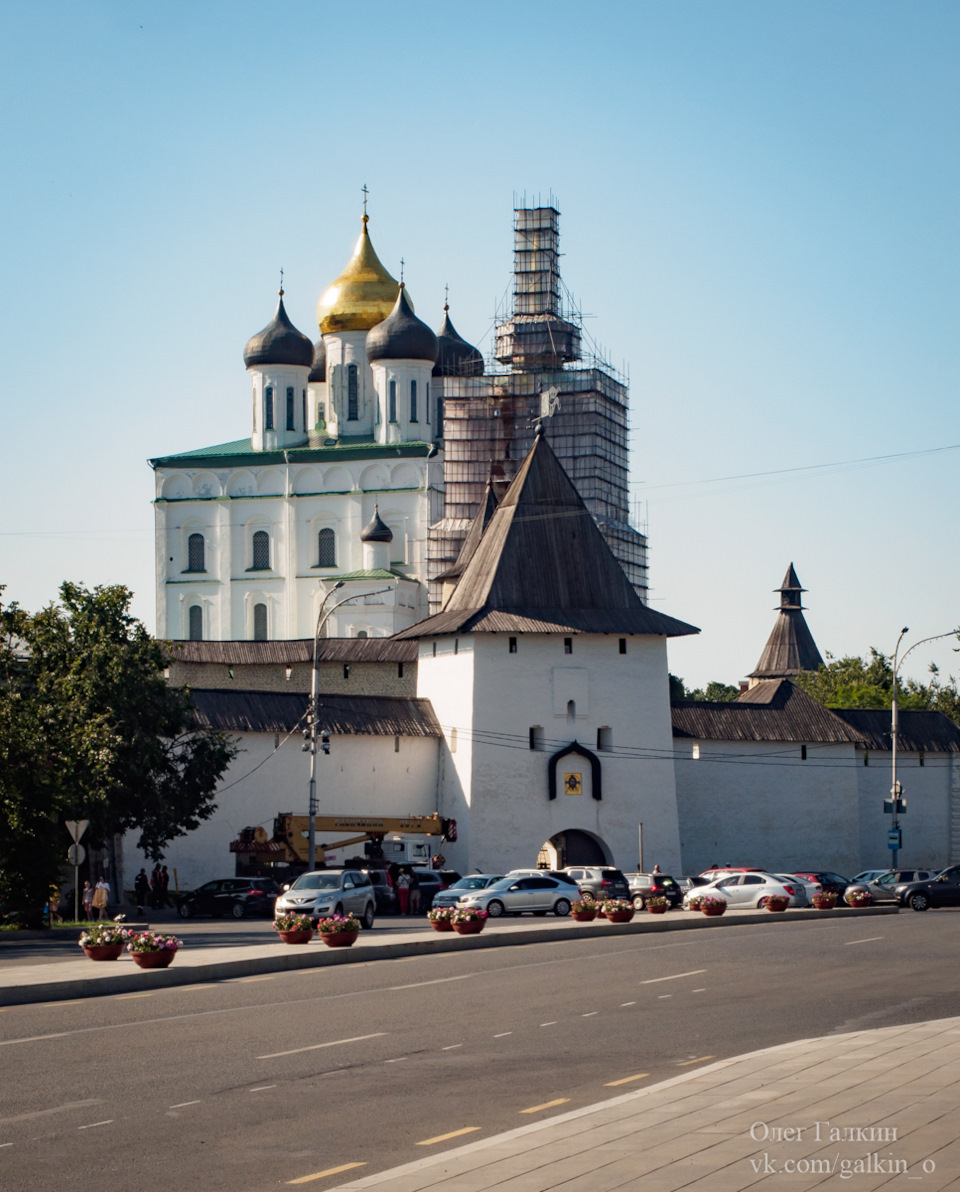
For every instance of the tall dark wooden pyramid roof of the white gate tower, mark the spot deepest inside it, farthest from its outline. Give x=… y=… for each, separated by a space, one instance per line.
x=543 y=567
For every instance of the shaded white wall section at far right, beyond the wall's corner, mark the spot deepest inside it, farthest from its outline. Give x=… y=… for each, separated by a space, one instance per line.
x=926 y=827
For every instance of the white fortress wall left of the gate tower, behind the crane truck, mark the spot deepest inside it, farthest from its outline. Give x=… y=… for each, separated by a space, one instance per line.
x=362 y=775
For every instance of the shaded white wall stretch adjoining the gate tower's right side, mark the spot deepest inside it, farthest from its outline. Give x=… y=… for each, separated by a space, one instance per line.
x=759 y=804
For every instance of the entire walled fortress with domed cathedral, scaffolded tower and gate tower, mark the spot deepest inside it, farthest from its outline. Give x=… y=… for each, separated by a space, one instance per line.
x=456 y=531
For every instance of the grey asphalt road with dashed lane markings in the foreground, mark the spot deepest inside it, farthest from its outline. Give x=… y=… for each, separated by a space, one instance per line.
x=251 y=1084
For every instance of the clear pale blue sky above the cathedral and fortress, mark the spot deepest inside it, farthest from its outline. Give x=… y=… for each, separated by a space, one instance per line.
x=759 y=221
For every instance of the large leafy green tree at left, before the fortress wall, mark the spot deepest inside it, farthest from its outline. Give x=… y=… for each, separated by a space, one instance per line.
x=90 y=730
